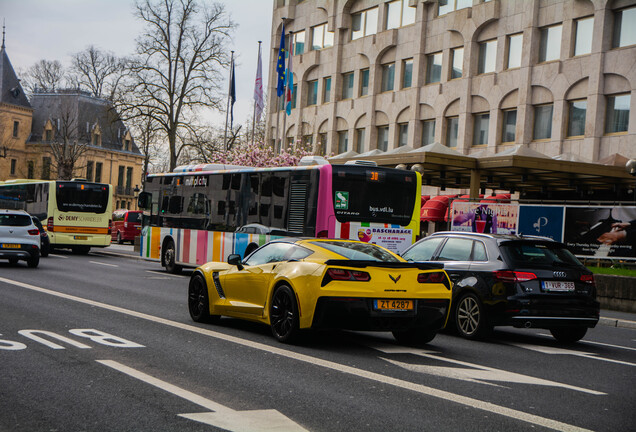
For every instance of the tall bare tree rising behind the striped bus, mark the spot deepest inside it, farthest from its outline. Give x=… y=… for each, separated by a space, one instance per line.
x=178 y=64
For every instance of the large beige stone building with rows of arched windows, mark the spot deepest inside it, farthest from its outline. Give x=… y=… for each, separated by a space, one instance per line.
x=477 y=76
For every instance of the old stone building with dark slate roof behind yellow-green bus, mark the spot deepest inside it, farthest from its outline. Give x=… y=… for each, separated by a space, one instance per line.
x=33 y=130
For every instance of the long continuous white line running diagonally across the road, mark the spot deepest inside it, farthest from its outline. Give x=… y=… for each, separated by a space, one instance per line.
x=418 y=388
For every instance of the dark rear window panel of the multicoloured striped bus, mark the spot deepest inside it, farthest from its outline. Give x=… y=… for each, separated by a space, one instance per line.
x=362 y=195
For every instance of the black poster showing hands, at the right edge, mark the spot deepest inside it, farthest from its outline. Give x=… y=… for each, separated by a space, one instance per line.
x=601 y=232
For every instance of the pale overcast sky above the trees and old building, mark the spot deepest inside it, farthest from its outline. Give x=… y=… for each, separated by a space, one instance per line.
x=55 y=29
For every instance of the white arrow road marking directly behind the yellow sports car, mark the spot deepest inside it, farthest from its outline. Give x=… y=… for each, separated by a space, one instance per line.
x=471 y=372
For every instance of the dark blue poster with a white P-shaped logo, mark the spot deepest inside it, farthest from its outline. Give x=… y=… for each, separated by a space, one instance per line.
x=541 y=220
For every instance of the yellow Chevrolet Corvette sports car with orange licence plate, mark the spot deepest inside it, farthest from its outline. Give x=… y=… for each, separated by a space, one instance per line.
x=296 y=284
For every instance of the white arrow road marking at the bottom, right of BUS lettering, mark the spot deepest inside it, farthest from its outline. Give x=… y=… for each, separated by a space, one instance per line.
x=222 y=417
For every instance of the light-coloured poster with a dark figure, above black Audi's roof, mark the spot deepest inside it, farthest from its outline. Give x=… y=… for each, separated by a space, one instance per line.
x=484 y=217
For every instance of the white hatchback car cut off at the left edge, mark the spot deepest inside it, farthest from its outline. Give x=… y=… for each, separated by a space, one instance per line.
x=19 y=237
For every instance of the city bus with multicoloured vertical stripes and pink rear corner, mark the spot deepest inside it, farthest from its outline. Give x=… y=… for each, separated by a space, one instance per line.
x=201 y=213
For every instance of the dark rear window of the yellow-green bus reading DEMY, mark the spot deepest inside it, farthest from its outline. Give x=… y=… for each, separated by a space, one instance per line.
x=81 y=197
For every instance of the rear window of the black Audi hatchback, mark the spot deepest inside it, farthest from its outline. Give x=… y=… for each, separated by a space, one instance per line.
x=538 y=254
